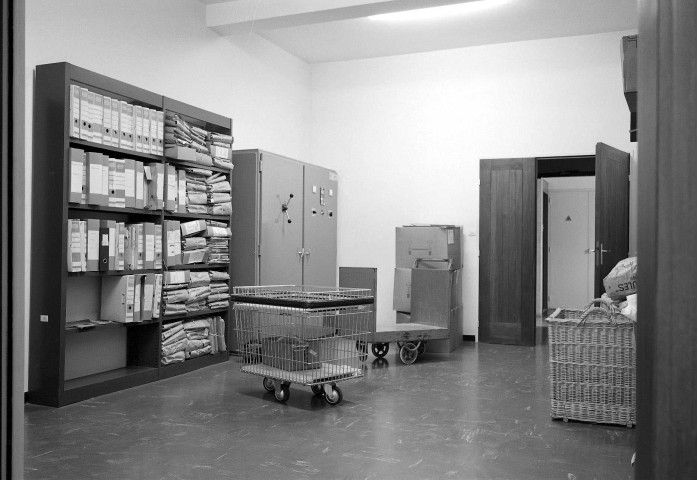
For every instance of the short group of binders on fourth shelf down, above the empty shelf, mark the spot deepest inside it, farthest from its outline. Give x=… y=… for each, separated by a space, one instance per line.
x=131 y=298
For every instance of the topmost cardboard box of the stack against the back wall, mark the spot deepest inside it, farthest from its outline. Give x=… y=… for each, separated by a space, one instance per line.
x=428 y=242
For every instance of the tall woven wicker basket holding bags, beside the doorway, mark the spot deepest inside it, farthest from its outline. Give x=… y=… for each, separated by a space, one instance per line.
x=592 y=365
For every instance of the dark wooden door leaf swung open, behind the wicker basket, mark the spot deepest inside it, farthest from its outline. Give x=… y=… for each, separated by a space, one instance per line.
x=611 y=211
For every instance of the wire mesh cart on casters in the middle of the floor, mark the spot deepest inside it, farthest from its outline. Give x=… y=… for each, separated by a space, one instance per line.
x=300 y=334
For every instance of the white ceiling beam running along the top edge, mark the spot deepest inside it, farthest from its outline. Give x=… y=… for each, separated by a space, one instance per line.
x=242 y=16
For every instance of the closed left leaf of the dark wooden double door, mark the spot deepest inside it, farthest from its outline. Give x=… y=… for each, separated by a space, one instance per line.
x=507 y=251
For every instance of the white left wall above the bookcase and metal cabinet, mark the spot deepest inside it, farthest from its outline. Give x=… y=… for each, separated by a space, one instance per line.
x=164 y=46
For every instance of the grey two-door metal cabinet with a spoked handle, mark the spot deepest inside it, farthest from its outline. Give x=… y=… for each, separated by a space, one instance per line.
x=284 y=221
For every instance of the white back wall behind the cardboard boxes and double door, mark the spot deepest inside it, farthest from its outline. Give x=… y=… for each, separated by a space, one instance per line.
x=406 y=135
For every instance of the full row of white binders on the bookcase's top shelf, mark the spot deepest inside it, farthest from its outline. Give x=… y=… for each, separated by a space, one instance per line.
x=109 y=121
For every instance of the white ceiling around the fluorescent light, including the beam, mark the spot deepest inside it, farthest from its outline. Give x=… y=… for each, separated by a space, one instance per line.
x=335 y=30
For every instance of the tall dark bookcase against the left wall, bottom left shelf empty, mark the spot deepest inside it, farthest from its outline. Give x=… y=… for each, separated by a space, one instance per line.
x=115 y=355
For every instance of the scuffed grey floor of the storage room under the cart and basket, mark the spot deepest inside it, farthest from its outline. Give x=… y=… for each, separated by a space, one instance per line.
x=481 y=412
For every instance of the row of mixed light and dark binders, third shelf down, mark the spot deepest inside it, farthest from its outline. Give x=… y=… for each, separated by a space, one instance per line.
x=107 y=245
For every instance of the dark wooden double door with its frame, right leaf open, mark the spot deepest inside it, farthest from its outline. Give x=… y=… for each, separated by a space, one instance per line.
x=508 y=244
